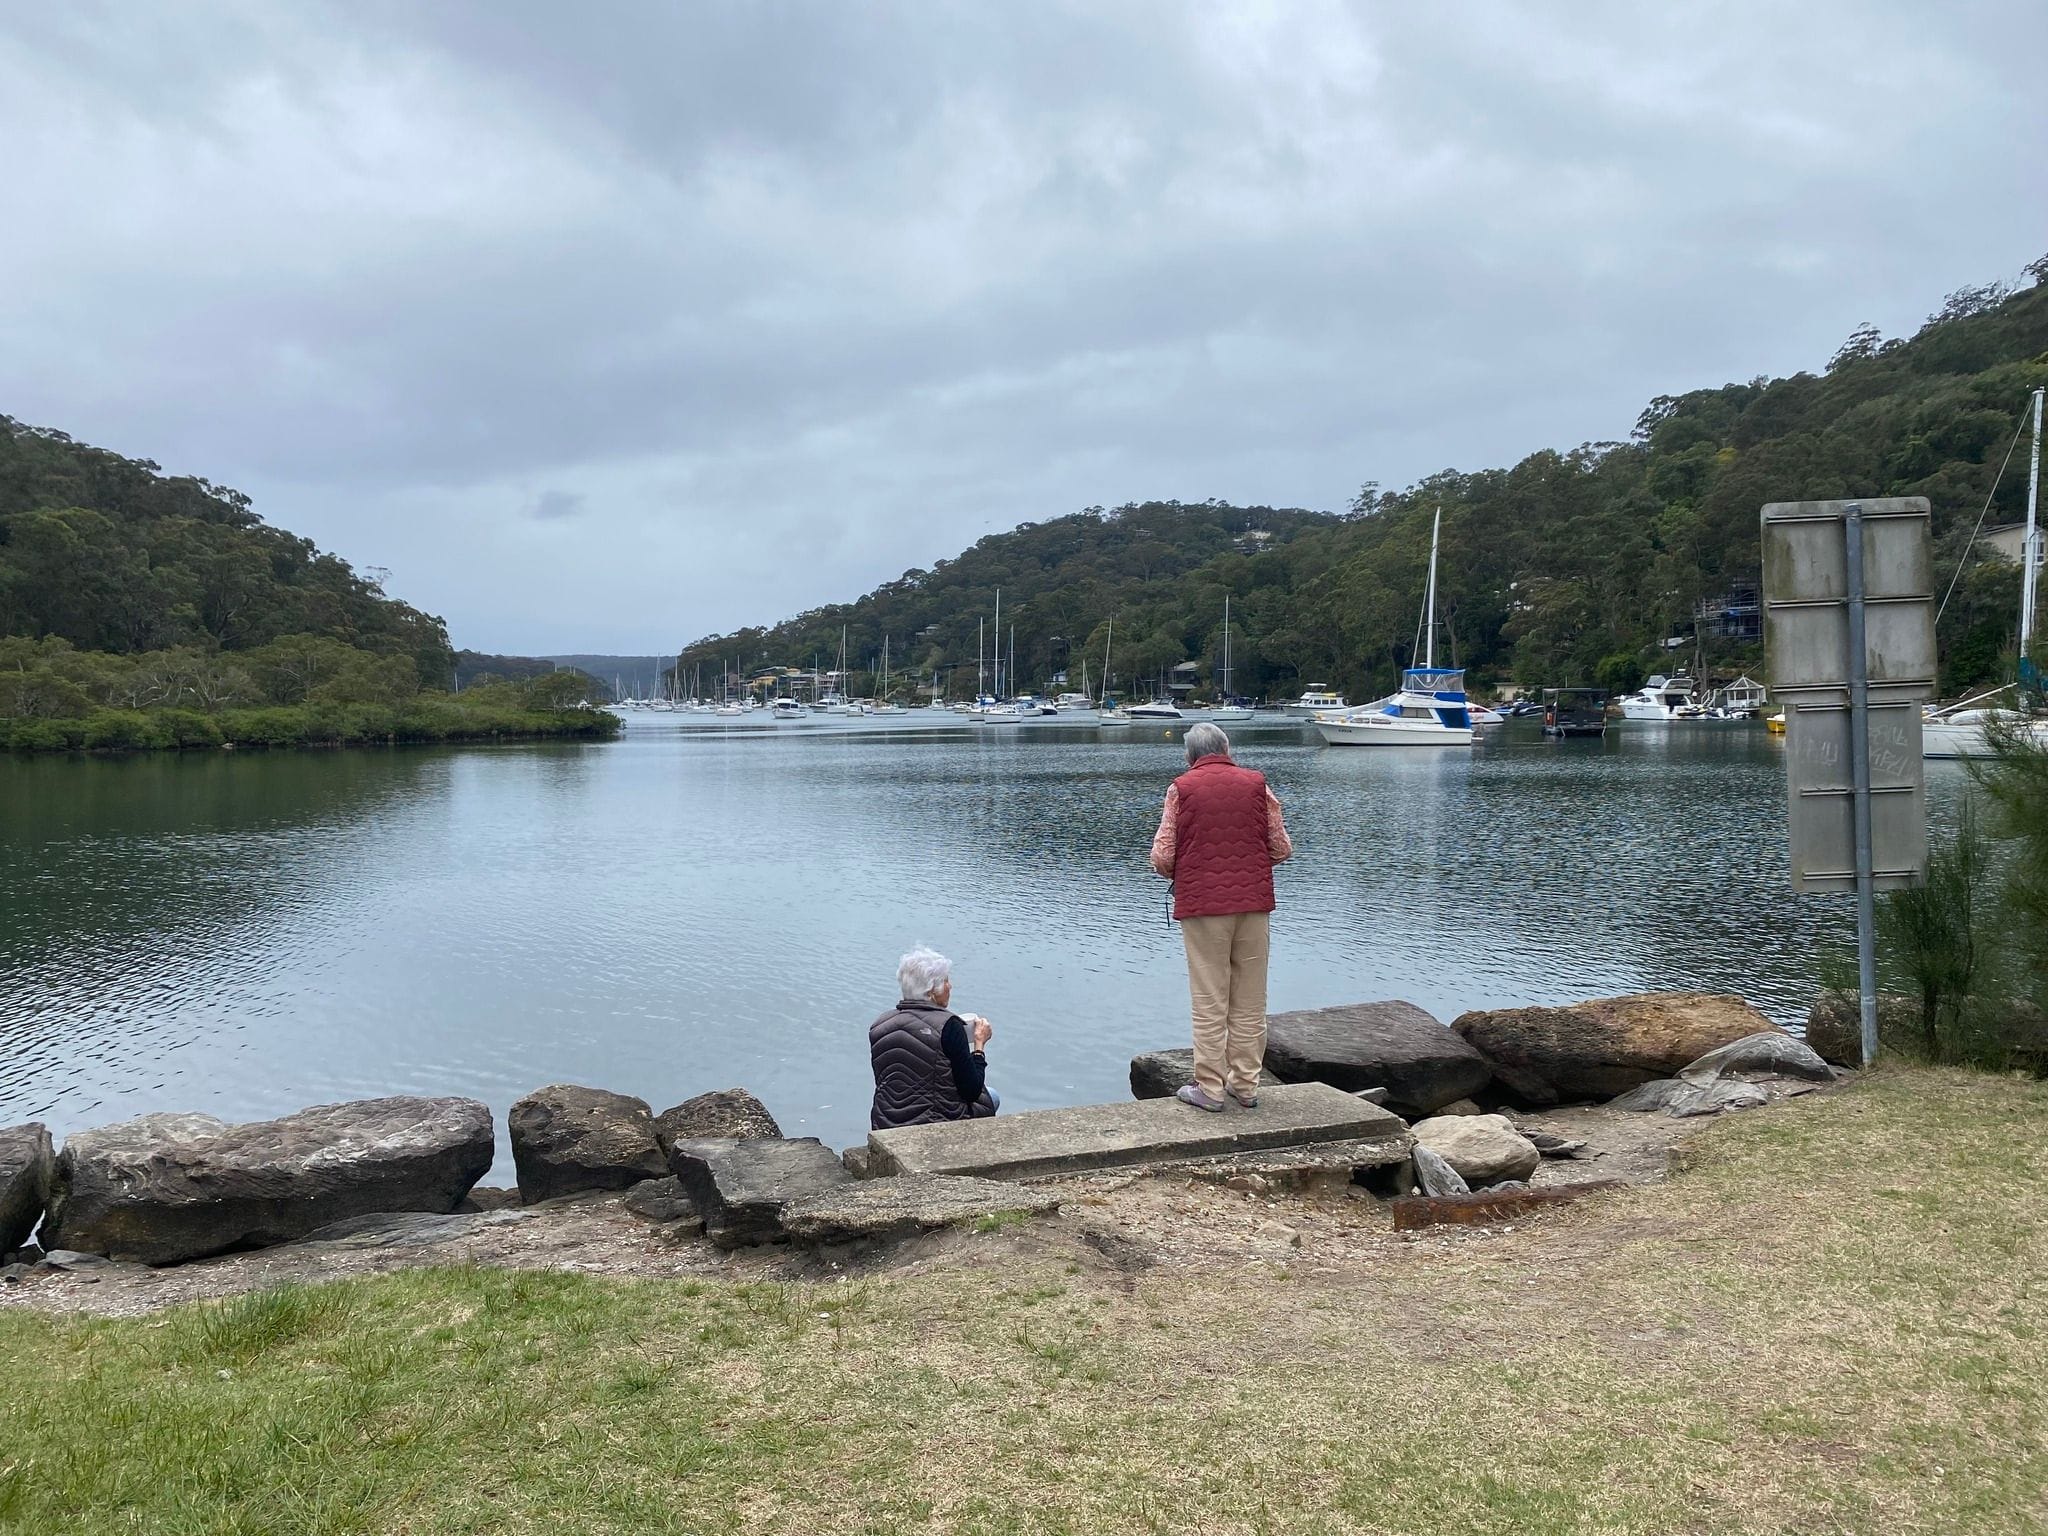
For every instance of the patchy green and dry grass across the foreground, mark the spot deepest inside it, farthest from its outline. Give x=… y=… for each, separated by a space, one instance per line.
x=1828 y=1324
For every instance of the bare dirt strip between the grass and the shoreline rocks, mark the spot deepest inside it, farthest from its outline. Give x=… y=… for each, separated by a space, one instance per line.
x=1109 y=1224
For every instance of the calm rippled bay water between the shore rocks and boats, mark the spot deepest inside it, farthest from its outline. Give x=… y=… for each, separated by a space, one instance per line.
x=699 y=908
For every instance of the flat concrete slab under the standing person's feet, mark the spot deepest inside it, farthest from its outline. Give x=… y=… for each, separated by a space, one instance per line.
x=1043 y=1144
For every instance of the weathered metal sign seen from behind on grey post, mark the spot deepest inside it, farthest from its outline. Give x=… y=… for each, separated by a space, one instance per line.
x=1848 y=599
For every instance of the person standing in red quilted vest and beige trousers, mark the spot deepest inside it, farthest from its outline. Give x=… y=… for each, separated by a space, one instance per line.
x=1220 y=839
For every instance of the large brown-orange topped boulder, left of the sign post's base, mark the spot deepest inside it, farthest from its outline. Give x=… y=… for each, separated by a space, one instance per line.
x=1598 y=1050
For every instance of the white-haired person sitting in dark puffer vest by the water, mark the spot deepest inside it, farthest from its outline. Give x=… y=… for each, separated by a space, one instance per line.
x=929 y=1062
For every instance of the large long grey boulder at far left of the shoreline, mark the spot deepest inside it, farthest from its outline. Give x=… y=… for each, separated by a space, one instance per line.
x=181 y=1187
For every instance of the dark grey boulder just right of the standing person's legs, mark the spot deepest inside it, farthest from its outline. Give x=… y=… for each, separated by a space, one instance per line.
x=1390 y=1046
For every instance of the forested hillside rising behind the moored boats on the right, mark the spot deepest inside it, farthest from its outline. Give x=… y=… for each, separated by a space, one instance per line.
x=1574 y=566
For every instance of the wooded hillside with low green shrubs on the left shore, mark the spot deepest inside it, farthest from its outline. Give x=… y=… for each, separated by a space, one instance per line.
x=140 y=611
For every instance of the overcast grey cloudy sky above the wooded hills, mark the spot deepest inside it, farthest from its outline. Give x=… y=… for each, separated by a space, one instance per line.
x=609 y=327
